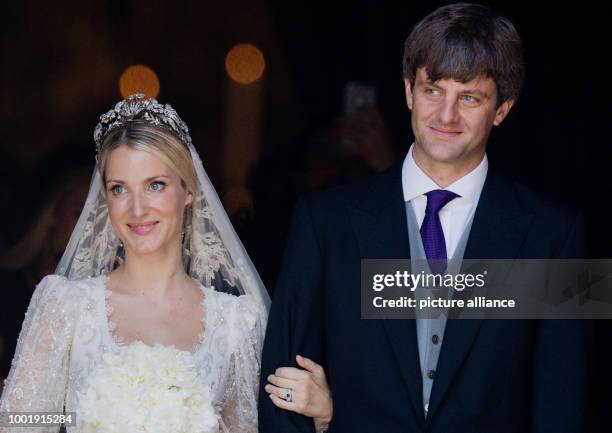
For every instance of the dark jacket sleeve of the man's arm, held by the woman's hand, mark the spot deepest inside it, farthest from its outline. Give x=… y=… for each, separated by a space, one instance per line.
x=295 y=323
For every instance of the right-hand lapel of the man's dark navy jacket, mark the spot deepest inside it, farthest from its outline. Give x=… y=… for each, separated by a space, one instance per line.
x=498 y=232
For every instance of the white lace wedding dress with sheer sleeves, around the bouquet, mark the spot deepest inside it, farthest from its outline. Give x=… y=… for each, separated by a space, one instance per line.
x=68 y=327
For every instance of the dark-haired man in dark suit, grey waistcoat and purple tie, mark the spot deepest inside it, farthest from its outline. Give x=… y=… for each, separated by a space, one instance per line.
x=463 y=72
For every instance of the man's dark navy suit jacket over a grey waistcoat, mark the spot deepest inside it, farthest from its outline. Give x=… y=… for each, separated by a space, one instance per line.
x=493 y=376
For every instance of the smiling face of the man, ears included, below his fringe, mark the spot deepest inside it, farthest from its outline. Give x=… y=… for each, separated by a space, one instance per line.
x=451 y=121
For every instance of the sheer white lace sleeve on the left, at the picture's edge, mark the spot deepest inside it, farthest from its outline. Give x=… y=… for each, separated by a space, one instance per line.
x=38 y=376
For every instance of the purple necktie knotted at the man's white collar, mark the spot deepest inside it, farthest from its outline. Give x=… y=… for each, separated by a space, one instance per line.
x=431 y=229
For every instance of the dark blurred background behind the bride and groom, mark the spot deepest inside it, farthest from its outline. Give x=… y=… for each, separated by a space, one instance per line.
x=61 y=62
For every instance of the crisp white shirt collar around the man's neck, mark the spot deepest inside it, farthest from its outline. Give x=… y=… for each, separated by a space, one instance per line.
x=416 y=183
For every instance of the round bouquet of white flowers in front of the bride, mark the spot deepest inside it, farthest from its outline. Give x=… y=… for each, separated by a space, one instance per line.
x=146 y=389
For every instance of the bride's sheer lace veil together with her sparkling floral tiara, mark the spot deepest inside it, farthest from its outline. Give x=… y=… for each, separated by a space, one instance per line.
x=212 y=252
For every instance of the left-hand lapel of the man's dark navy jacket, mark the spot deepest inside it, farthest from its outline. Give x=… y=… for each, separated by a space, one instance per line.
x=379 y=222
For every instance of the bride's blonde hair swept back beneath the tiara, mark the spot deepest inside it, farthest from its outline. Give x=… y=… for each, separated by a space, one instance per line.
x=160 y=142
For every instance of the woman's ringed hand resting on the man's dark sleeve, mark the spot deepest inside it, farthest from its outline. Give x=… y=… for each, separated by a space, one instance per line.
x=310 y=394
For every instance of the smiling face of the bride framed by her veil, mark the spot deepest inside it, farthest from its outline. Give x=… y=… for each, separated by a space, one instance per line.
x=146 y=201
